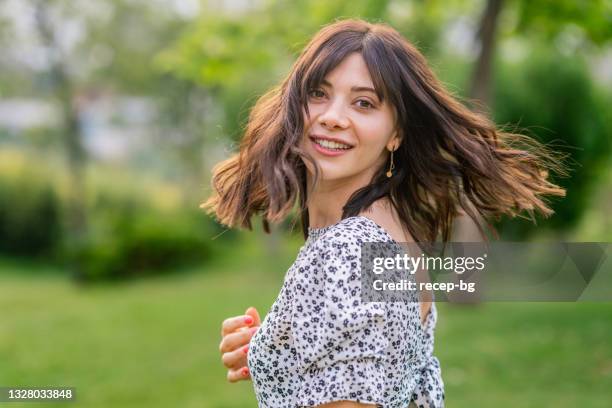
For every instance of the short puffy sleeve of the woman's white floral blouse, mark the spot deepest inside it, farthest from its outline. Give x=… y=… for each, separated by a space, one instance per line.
x=340 y=341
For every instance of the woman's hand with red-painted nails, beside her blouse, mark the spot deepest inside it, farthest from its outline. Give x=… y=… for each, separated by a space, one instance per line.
x=236 y=333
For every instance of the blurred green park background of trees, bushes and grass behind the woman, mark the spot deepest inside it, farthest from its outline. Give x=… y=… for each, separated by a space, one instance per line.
x=112 y=114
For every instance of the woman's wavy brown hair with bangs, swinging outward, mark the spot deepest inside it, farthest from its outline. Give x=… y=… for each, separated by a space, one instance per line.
x=451 y=160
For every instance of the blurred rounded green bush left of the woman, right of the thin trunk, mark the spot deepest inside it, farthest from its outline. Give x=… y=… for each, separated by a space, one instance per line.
x=129 y=238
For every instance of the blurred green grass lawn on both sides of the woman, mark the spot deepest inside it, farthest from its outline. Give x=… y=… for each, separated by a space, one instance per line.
x=154 y=342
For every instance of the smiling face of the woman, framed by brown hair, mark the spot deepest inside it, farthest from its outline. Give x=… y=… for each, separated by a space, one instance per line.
x=349 y=132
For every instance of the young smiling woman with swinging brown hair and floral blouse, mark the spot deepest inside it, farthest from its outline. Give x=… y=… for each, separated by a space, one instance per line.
x=363 y=136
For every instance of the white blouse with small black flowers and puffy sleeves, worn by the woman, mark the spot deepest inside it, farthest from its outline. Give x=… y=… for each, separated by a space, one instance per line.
x=320 y=343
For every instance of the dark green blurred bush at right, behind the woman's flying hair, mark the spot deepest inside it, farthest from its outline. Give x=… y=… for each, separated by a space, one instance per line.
x=553 y=98
